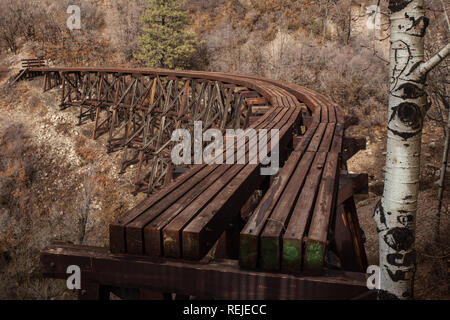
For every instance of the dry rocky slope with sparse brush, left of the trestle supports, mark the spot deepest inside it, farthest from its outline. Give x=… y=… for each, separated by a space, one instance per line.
x=55 y=184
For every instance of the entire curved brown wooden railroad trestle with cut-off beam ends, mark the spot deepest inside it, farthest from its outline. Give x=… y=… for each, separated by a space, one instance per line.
x=220 y=231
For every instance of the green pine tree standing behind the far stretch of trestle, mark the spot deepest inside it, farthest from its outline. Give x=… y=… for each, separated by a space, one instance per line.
x=166 y=41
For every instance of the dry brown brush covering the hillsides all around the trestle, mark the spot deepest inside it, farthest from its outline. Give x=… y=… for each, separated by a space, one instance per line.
x=323 y=45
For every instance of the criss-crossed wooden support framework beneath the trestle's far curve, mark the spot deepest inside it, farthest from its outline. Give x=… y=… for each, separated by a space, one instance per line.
x=139 y=112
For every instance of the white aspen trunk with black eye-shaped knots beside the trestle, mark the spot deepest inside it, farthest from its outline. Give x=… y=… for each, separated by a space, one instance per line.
x=395 y=214
